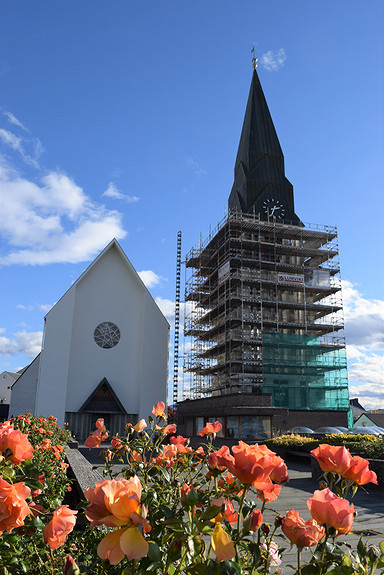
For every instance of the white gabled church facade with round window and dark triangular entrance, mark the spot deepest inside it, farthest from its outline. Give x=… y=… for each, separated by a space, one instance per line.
x=104 y=353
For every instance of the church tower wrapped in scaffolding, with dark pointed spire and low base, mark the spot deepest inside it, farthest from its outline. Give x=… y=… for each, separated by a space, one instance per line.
x=266 y=323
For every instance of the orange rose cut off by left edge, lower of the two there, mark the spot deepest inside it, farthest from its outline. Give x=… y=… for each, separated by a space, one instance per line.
x=13 y=507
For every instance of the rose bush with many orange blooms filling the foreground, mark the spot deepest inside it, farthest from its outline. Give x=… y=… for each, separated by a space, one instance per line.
x=169 y=508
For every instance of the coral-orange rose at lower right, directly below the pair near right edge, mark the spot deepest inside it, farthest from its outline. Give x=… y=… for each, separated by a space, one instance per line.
x=326 y=507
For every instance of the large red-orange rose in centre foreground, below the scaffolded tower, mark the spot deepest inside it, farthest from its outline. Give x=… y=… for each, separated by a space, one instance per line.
x=250 y=464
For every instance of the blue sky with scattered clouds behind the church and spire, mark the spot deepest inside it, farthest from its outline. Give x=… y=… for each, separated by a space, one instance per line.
x=122 y=119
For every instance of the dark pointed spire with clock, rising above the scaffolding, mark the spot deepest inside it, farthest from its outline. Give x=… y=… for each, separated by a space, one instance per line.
x=260 y=181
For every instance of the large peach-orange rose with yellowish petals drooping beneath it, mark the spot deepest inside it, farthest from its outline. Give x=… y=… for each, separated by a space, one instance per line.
x=116 y=503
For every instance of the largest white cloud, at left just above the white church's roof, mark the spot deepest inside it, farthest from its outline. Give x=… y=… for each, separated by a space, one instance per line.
x=52 y=222
